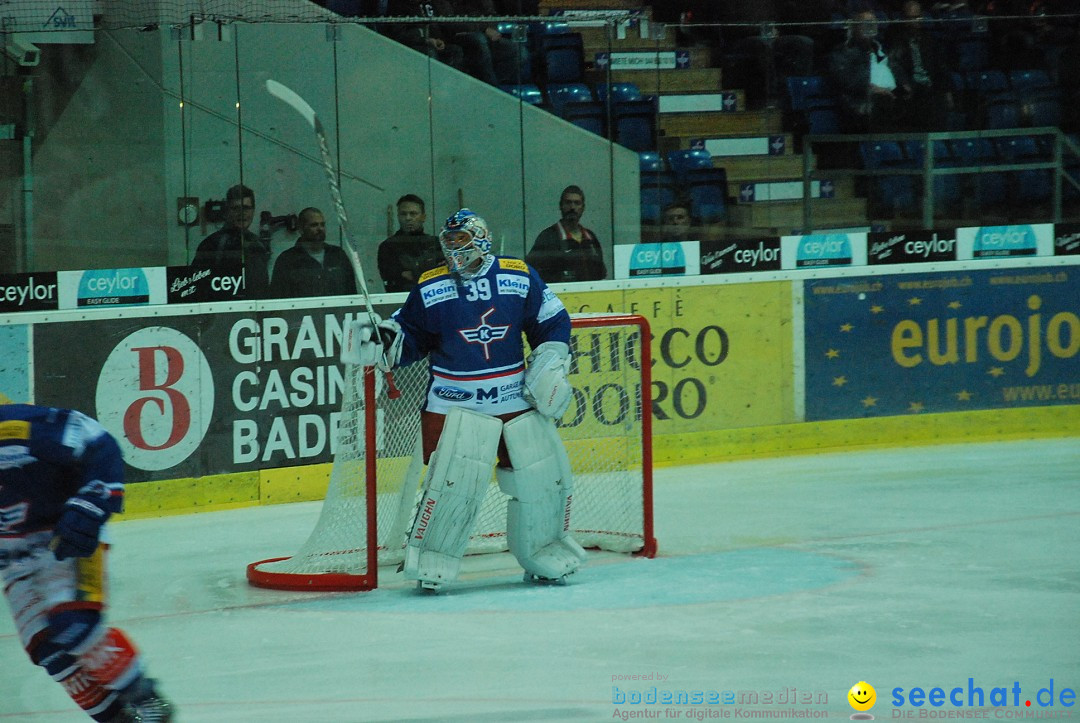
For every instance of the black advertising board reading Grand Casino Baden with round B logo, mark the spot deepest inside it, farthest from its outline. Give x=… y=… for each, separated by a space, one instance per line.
x=204 y=394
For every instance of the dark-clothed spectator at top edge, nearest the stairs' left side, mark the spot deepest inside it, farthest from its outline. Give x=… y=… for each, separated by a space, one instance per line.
x=489 y=55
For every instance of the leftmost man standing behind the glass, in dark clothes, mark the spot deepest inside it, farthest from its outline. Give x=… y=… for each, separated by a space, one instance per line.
x=235 y=248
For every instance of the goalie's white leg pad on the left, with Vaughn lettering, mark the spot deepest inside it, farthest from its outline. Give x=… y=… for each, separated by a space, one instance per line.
x=458 y=477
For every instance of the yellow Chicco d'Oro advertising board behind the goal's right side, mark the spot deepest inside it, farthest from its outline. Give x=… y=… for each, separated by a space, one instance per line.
x=722 y=358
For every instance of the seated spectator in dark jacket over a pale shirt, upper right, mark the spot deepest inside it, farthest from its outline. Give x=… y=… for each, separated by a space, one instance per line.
x=871 y=89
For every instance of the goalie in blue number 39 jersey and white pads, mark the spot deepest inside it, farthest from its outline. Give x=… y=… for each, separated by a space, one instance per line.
x=485 y=403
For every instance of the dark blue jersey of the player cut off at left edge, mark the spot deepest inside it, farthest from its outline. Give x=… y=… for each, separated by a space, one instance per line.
x=47 y=457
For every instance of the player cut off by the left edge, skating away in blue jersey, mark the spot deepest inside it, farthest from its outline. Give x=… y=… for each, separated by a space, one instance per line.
x=61 y=478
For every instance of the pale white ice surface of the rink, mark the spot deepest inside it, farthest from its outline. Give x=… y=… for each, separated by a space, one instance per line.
x=903 y=569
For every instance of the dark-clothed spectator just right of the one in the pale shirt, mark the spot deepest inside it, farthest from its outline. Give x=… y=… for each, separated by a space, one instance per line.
x=922 y=61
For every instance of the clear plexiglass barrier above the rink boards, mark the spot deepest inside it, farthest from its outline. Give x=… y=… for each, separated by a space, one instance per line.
x=119 y=150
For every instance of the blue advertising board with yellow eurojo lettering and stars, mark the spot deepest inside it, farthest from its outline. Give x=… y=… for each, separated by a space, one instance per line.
x=928 y=343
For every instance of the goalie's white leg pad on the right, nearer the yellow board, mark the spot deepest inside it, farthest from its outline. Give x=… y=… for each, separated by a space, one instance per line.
x=542 y=485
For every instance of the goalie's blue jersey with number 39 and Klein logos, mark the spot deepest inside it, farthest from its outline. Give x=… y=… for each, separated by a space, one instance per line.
x=472 y=332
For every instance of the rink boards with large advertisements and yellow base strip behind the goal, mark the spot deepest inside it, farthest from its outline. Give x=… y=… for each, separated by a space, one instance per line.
x=231 y=405
